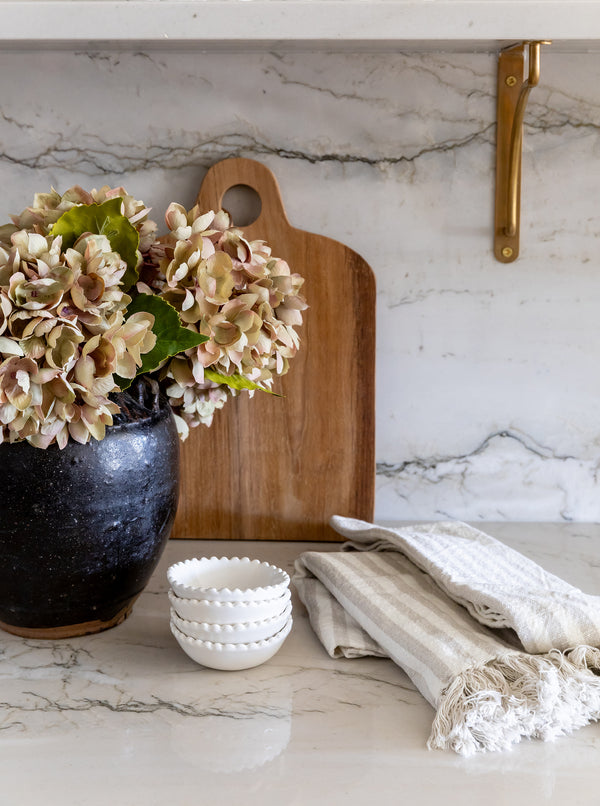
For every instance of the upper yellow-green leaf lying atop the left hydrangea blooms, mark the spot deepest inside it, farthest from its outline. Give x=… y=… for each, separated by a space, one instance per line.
x=103 y=219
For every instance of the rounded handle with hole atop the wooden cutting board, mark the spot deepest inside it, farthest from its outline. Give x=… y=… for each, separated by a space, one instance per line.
x=238 y=171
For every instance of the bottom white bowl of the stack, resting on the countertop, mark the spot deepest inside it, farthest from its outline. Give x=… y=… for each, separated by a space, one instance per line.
x=231 y=657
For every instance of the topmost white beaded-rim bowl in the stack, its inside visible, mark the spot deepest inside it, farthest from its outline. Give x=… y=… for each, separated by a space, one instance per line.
x=227 y=579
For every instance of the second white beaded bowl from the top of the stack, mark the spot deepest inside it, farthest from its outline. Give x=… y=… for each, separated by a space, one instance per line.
x=228 y=612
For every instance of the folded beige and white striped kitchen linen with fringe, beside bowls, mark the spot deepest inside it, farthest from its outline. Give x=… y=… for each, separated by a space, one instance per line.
x=463 y=615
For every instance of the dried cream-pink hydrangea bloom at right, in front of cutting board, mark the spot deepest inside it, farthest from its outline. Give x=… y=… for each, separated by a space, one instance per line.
x=233 y=291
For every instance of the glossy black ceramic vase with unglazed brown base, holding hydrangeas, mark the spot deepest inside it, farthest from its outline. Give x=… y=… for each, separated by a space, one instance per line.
x=82 y=529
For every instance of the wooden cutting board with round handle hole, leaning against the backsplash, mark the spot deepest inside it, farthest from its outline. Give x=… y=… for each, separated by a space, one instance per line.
x=277 y=468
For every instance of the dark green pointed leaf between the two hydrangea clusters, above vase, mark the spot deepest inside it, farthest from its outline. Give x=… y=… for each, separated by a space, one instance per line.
x=171 y=336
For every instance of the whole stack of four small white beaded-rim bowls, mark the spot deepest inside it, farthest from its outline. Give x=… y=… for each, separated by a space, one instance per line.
x=229 y=613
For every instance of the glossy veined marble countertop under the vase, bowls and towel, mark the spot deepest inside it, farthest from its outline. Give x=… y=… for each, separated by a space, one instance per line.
x=125 y=717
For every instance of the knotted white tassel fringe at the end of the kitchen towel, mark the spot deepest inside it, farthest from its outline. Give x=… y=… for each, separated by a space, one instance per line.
x=517 y=696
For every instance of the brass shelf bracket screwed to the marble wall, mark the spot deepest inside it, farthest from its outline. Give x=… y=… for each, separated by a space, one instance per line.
x=513 y=94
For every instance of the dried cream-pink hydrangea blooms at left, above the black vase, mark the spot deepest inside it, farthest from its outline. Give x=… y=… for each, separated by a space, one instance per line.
x=63 y=334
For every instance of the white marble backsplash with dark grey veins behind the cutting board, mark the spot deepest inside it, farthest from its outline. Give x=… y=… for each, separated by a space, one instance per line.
x=487 y=374
